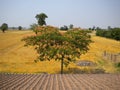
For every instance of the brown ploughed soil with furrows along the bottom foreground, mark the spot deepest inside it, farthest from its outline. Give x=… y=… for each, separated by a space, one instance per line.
x=59 y=82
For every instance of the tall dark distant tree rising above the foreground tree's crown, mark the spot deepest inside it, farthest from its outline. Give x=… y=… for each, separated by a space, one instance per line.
x=41 y=18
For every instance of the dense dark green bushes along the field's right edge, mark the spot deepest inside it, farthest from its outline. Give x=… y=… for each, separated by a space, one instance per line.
x=113 y=33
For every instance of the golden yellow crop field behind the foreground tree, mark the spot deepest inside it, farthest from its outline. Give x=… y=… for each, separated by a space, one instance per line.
x=15 y=58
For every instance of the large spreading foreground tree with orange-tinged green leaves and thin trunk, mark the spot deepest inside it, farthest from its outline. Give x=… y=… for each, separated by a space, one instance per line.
x=51 y=44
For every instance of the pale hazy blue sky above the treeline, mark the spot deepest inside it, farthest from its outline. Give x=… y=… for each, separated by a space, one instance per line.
x=80 y=13
